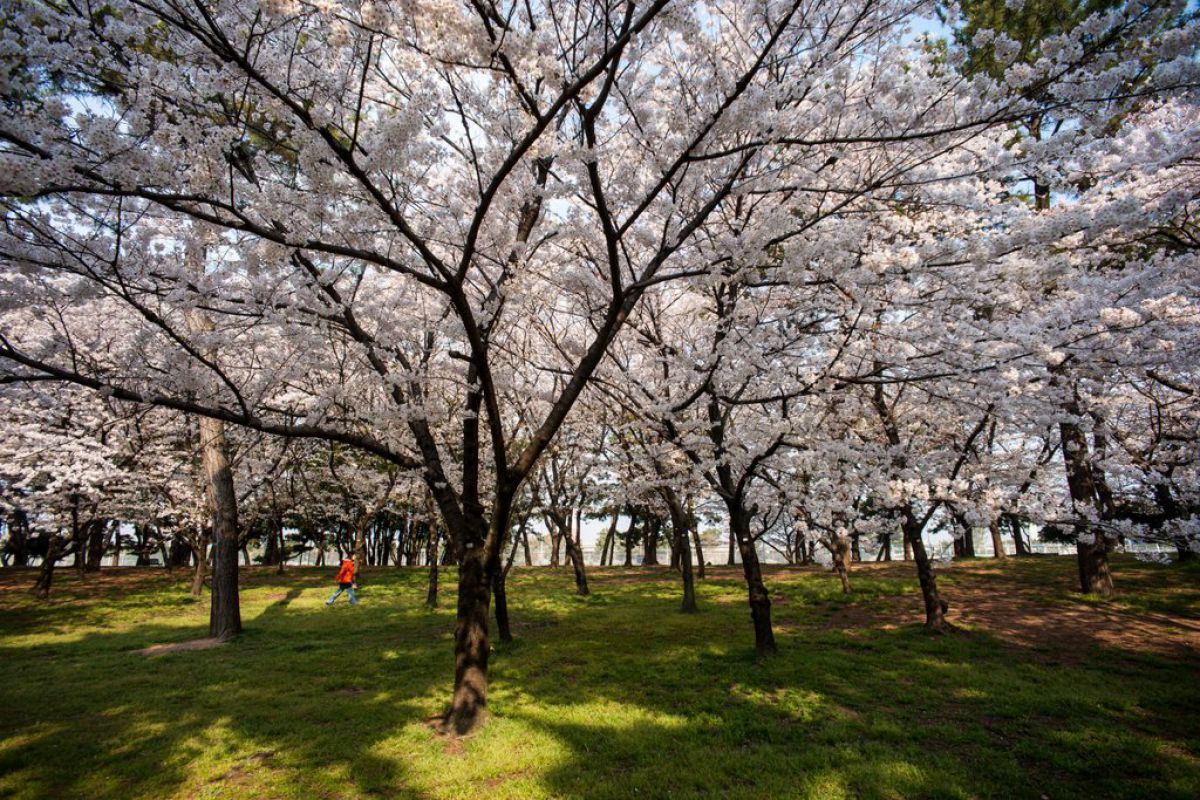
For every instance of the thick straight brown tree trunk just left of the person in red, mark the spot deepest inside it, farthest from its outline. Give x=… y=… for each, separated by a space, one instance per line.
x=225 y=615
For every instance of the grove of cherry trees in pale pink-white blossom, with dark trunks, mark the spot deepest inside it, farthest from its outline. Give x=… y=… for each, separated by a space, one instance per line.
x=377 y=278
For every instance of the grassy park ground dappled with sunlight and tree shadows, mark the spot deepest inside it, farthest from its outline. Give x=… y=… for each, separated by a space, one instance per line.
x=1040 y=694
